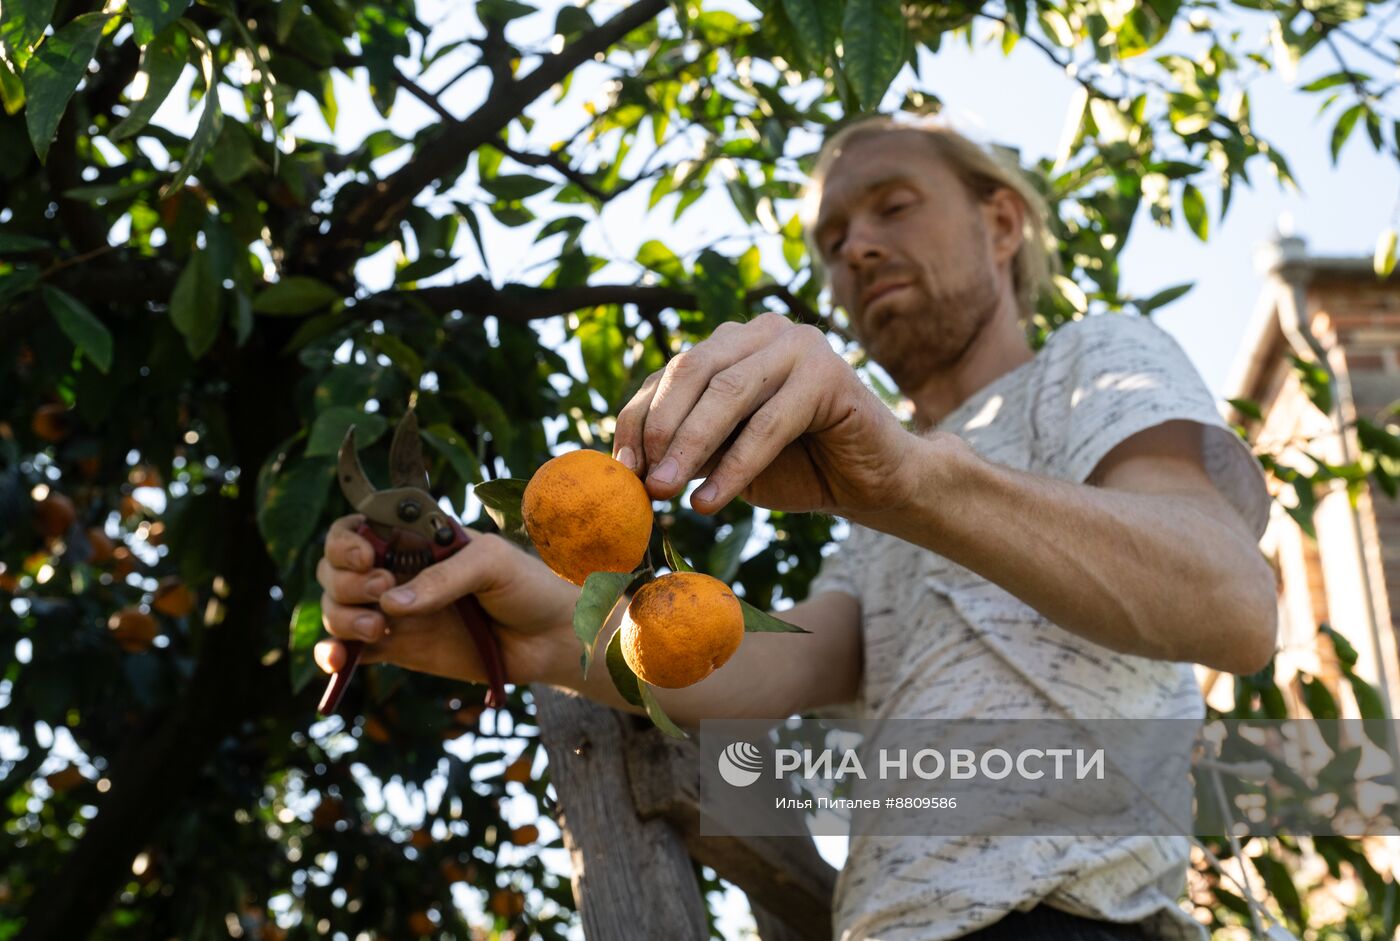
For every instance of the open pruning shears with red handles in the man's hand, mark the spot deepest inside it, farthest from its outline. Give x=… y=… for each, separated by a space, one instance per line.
x=409 y=533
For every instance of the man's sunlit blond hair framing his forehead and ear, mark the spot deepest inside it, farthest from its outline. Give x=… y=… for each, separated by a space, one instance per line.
x=982 y=172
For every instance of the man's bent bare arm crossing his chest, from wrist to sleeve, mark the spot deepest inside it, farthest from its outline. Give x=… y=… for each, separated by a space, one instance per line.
x=1147 y=558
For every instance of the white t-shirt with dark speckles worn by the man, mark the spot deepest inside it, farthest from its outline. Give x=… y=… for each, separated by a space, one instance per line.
x=944 y=643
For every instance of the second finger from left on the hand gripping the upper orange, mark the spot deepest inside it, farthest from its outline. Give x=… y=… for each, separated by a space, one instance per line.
x=730 y=398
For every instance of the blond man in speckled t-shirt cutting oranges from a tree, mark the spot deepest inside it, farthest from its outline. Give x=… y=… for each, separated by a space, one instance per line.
x=1060 y=536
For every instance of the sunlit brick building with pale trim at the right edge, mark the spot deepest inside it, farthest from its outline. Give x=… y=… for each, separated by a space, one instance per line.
x=1335 y=312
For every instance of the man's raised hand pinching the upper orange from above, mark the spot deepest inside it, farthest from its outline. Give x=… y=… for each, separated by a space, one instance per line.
x=769 y=412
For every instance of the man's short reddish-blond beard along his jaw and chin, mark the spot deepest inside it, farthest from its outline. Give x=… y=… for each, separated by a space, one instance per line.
x=923 y=333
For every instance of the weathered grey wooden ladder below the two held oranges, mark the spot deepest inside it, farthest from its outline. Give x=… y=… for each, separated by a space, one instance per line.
x=631 y=814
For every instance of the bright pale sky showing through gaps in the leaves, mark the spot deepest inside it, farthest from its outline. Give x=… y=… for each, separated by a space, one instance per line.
x=1018 y=102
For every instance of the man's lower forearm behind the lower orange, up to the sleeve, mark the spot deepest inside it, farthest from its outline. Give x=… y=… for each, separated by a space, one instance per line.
x=772 y=676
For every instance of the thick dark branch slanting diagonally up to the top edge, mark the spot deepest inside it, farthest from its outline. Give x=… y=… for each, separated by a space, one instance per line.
x=390 y=200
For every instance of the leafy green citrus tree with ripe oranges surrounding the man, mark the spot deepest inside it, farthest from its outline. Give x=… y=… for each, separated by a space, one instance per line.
x=190 y=321
